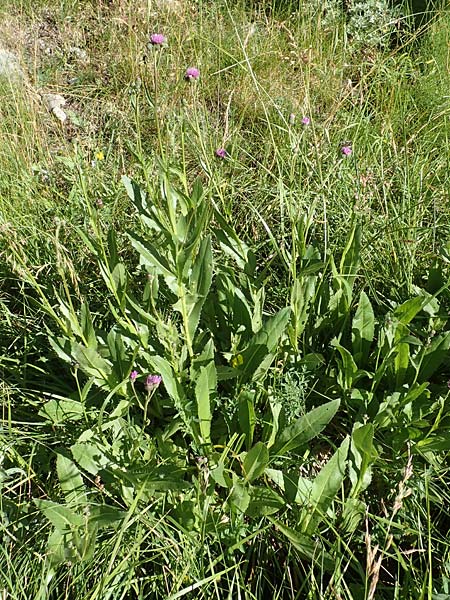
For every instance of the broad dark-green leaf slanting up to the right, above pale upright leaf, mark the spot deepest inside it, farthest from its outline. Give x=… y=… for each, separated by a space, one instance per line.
x=305 y=428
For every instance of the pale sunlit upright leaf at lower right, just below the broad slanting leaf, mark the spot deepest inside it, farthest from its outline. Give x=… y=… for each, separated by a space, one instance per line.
x=325 y=487
